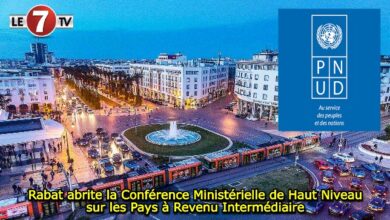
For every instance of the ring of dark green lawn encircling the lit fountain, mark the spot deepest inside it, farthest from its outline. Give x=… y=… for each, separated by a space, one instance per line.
x=210 y=142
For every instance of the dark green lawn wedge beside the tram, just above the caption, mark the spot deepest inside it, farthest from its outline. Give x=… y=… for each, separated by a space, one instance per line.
x=282 y=179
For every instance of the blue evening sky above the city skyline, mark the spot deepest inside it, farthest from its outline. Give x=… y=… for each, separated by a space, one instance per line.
x=136 y=29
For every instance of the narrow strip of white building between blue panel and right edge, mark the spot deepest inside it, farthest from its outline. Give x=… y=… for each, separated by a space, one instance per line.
x=385 y=85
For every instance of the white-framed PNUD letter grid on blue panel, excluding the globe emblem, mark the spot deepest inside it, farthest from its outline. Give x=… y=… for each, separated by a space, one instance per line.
x=329 y=77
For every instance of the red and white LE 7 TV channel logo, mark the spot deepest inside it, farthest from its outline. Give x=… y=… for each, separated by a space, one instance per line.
x=41 y=21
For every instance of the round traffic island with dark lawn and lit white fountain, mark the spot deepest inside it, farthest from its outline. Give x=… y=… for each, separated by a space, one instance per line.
x=175 y=140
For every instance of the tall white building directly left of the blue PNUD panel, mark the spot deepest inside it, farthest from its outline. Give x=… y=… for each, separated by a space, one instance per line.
x=256 y=86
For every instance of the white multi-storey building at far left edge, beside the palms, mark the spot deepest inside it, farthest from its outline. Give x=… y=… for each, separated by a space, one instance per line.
x=28 y=90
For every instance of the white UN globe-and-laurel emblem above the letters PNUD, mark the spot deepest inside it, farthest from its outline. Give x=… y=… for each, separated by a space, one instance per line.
x=329 y=36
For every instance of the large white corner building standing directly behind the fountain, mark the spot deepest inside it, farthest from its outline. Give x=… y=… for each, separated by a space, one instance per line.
x=174 y=81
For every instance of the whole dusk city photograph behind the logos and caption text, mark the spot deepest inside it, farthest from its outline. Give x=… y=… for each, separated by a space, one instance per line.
x=176 y=103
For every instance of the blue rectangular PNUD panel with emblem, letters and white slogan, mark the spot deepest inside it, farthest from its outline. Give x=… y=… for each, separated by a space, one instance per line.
x=329 y=77
